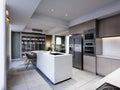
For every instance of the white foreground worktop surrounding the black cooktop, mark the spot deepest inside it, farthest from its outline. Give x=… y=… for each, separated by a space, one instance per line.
x=113 y=78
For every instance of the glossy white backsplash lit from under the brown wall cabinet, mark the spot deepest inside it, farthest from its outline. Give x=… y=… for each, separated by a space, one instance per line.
x=111 y=46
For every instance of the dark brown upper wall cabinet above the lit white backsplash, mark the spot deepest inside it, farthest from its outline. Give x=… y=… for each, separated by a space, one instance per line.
x=109 y=27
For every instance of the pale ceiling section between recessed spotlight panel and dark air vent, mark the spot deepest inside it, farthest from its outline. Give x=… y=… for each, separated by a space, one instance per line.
x=45 y=22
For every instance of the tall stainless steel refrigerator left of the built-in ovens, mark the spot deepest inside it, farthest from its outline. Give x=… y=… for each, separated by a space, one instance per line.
x=76 y=49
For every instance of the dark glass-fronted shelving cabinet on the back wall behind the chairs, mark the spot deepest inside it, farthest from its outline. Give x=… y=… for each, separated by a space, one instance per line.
x=32 y=42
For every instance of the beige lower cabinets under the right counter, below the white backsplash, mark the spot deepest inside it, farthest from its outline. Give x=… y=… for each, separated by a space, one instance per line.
x=106 y=65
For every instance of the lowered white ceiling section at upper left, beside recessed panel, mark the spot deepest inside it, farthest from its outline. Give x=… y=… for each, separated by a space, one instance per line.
x=21 y=11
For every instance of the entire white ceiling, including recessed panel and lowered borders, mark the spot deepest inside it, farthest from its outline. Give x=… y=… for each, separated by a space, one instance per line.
x=57 y=15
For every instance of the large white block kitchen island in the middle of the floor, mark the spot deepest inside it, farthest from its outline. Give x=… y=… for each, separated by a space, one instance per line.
x=56 y=67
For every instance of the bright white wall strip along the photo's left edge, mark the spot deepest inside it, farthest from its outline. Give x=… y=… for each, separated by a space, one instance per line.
x=2 y=46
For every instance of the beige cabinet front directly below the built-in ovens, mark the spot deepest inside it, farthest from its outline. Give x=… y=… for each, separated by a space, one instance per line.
x=89 y=63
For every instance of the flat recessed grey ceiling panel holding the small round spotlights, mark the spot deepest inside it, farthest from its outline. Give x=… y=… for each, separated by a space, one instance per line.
x=73 y=8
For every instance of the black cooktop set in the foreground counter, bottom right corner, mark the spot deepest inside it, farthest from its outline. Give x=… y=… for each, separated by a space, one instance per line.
x=108 y=86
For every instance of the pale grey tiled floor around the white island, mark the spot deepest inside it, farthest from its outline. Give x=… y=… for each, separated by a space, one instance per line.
x=32 y=80
